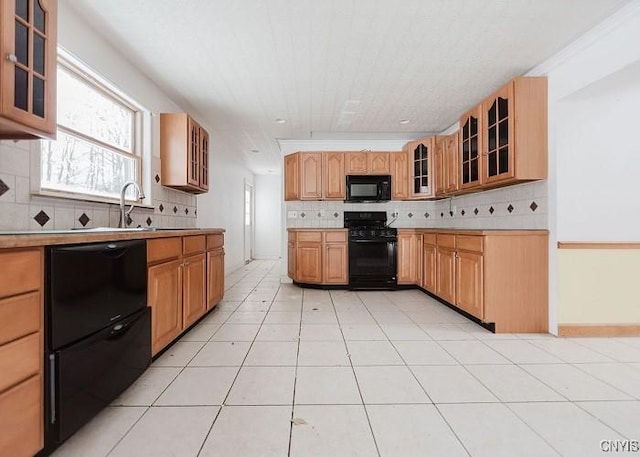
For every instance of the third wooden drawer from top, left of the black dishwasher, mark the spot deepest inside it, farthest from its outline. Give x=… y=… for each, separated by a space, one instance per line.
x=19 y=360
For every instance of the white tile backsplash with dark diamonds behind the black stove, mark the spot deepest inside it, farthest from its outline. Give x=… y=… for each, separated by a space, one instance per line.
x=515 y=207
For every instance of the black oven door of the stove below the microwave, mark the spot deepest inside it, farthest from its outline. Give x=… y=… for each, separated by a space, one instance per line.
x=372 y=264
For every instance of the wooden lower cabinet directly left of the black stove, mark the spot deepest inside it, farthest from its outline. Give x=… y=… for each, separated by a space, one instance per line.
x=318 y=256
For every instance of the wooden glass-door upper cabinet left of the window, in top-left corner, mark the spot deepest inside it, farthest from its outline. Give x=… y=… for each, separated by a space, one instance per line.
x=28 y=69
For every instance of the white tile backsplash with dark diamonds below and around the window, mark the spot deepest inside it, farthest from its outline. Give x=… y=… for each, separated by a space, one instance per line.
x=19 y=210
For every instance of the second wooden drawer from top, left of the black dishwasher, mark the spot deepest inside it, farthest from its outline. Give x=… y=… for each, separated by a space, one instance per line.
x=19 y=316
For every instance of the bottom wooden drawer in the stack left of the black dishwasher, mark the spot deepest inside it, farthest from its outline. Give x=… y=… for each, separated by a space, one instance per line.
x=21 y=419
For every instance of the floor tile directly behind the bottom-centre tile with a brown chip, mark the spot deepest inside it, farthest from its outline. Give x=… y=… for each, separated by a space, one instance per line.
x=326 y=385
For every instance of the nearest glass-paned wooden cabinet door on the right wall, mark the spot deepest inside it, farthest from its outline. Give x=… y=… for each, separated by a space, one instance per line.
x=498 y=146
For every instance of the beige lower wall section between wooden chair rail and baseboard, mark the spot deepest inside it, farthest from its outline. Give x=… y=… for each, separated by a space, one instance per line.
x=598 y=286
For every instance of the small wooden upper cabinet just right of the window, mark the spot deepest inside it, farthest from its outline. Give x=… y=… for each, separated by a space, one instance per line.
x=184 y=153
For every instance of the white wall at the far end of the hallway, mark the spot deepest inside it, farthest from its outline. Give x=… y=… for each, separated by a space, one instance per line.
x=268 y=216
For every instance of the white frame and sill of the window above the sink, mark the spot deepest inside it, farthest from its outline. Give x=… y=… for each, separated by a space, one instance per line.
x=140 y=124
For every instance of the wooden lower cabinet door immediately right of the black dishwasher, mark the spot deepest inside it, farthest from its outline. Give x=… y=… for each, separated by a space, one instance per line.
x=165 y=299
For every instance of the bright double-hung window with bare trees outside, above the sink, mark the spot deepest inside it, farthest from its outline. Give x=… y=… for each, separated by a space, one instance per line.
x=97 y=147
